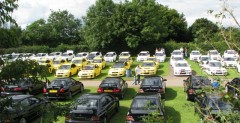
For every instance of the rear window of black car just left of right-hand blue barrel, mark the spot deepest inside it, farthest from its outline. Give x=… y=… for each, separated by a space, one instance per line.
x=199 y=82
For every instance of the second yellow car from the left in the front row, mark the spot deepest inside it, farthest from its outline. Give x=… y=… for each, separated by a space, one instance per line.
x=90 y=71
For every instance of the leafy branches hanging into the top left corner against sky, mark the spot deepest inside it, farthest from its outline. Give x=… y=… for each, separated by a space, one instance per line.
x=6 y=8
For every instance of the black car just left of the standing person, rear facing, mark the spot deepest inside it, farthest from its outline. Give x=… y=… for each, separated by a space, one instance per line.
x=113 y=85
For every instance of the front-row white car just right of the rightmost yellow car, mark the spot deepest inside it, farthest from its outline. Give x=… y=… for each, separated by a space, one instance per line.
x=182 y=68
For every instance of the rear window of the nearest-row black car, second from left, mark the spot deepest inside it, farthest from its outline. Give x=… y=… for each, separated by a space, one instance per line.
x=85 y=103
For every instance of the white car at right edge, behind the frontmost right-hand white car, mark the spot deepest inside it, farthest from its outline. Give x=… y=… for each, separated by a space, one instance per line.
x=229 y=62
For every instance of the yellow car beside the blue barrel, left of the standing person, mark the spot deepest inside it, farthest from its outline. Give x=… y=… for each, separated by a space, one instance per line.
x=119 y=69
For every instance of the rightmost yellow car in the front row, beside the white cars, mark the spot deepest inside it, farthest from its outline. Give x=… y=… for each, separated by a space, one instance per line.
x=148 y=68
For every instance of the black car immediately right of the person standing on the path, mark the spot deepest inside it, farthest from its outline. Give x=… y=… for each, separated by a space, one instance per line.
x=153 y=84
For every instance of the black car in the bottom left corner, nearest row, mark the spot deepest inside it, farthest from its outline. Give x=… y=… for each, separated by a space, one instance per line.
x=23 y=109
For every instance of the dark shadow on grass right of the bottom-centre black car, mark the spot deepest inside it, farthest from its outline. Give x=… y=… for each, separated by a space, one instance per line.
x=173 y=116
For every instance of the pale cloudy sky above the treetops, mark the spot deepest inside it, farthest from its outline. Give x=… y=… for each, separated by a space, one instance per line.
x=32 y=10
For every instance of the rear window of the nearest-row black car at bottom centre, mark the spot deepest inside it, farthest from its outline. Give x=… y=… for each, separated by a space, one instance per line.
x=144 y=104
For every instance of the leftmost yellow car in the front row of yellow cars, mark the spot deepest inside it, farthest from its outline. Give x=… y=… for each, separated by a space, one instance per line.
x=67 y=70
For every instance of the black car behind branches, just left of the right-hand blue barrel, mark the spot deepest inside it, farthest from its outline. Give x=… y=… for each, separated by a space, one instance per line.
x=193 y=85
